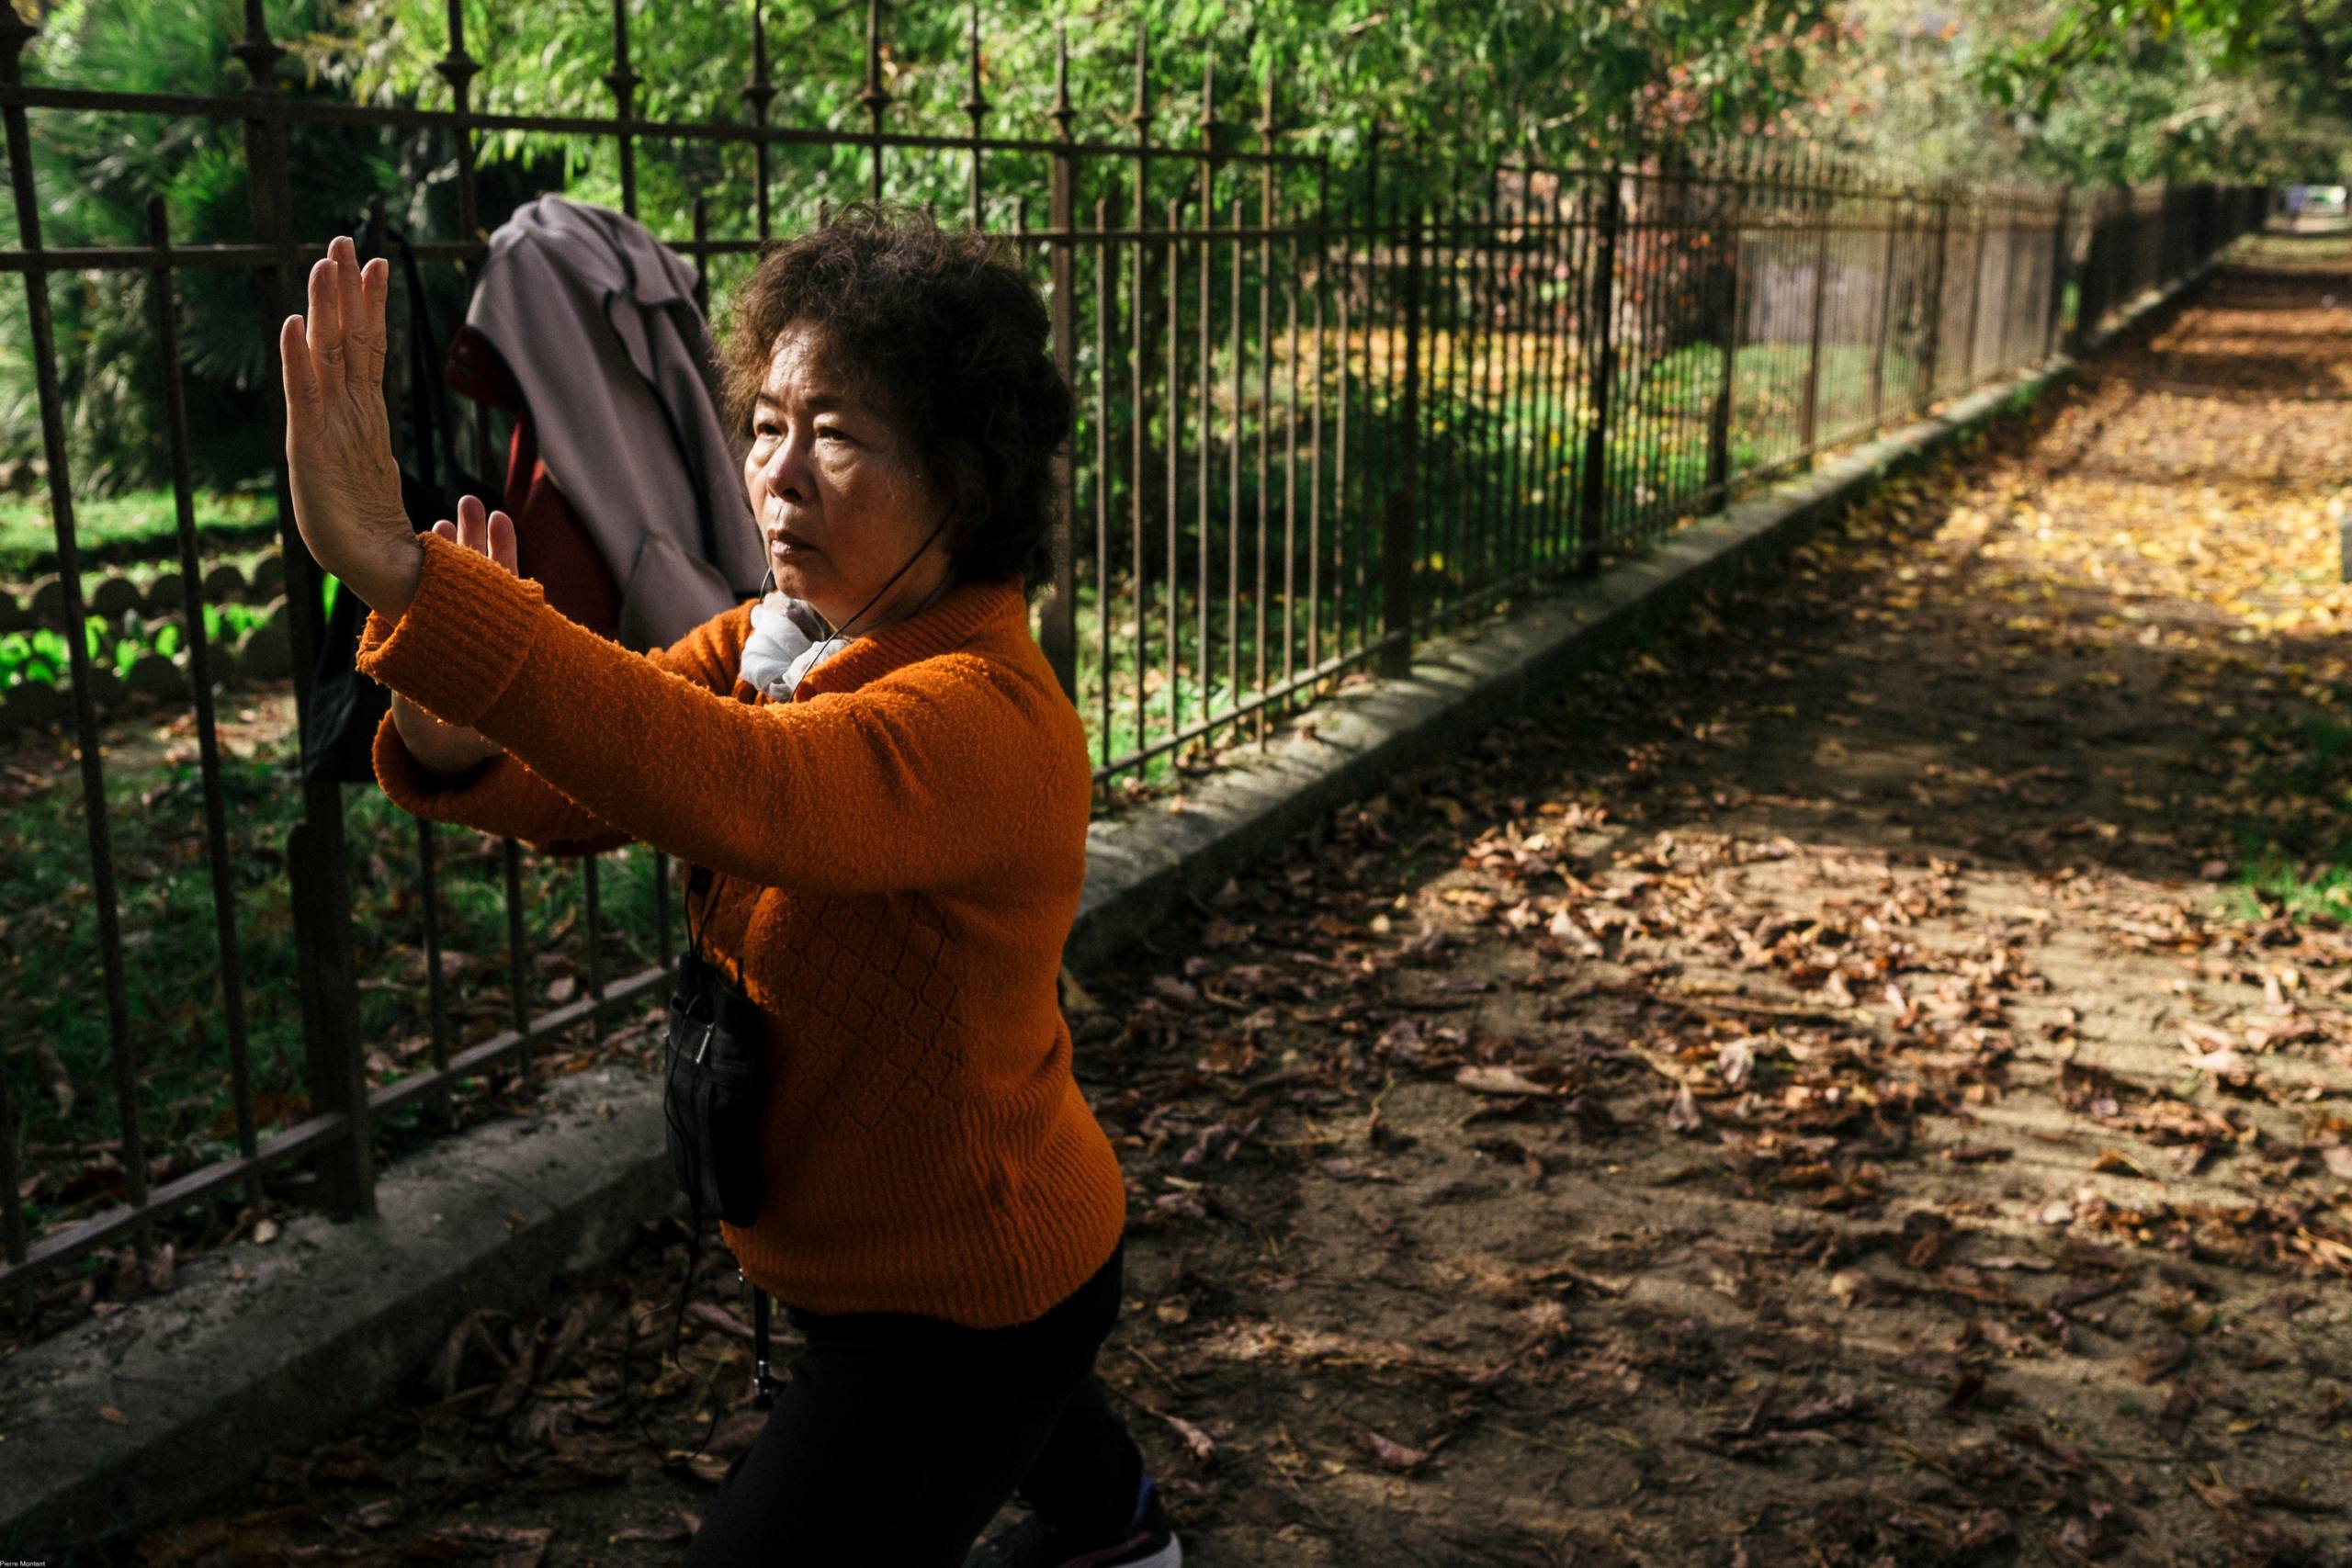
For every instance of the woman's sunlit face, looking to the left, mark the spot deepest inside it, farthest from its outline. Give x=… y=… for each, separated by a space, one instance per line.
x=841 y=497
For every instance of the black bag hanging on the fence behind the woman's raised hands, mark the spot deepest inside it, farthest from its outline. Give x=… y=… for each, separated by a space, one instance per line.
x=345 y=704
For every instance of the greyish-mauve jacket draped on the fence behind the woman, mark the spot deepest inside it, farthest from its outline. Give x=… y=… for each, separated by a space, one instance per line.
x=599 y=323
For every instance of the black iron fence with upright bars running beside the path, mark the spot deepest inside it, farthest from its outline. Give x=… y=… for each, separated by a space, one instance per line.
x=1323 y=415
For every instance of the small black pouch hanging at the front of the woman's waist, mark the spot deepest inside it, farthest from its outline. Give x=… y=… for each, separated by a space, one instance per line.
x=711 y=1094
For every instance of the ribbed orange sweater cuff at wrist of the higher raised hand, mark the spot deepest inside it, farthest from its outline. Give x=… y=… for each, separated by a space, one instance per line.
x=462 y=641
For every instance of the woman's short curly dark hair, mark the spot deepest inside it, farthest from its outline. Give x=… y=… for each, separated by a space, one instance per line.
x=944 y=333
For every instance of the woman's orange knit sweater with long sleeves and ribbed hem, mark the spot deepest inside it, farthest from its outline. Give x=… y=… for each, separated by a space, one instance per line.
x=900 y=862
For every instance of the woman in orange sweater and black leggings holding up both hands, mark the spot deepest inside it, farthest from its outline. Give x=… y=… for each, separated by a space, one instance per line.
x=890 y=791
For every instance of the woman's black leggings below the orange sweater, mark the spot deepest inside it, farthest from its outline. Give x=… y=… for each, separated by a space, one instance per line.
x=900 y=1438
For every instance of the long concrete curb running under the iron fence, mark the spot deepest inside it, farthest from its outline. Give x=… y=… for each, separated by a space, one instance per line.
x=272 y=1348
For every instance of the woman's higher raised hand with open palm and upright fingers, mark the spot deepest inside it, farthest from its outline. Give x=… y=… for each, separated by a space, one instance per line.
x=340 y=436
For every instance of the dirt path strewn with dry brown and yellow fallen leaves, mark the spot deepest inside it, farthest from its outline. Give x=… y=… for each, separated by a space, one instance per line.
x=1803 y=1099
